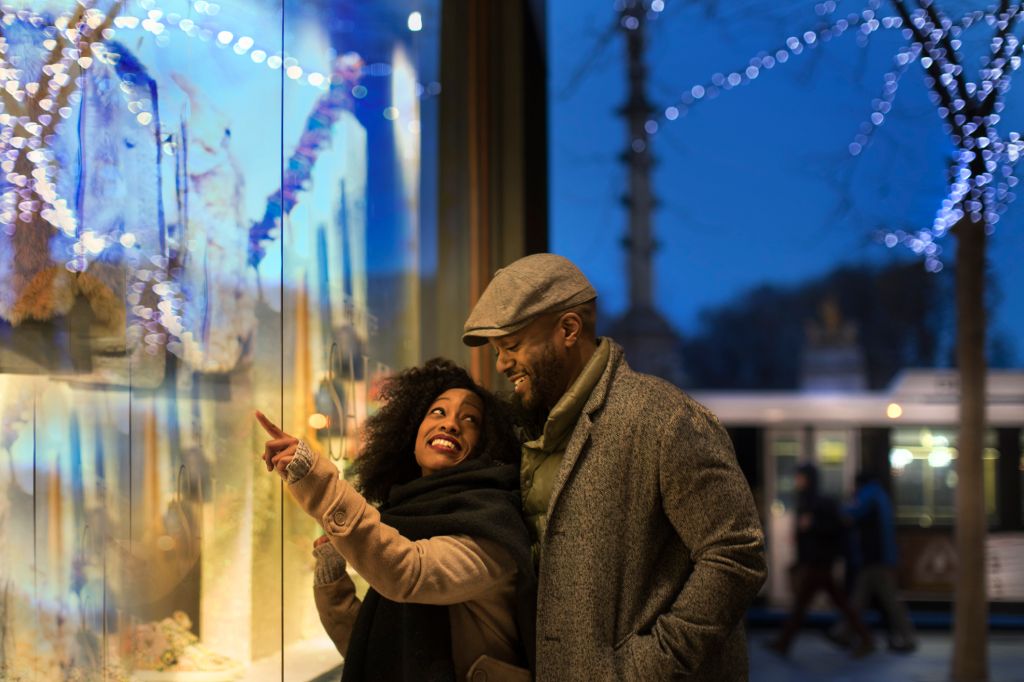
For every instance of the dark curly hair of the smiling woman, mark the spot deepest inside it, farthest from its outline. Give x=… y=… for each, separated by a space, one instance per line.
x=388 y=458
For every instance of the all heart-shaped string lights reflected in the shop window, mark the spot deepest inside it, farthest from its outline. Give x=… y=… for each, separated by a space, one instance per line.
x=32 y=114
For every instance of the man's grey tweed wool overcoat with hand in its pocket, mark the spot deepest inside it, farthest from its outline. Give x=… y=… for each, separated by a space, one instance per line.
x=654 y=549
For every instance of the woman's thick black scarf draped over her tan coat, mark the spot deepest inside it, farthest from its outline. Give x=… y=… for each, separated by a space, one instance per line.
x=395 y=642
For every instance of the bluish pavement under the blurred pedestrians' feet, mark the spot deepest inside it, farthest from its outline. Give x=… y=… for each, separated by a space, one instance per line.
x=815 y=659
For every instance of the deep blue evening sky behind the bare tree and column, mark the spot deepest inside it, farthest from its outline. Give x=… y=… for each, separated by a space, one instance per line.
x=756 y=186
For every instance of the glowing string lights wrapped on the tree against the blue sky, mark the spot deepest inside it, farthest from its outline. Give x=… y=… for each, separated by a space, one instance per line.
x=983 y=181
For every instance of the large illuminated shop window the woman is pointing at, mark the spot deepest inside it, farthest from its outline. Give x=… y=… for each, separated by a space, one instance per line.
x=206 y=208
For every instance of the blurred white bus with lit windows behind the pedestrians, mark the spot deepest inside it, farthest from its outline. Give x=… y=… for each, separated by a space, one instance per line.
x=907 y=435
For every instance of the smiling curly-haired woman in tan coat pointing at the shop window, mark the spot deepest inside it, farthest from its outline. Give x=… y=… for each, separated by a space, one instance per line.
x=447 y=556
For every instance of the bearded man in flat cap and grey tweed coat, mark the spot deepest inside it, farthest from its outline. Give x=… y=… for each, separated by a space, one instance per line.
x=649 y=541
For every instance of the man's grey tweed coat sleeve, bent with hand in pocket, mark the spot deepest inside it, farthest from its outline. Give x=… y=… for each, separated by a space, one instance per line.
x=709 y=503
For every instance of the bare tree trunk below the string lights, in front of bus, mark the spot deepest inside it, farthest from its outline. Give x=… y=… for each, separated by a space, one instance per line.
x=970 y=663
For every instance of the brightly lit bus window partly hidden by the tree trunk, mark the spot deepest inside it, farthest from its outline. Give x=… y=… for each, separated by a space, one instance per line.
x=924 y=471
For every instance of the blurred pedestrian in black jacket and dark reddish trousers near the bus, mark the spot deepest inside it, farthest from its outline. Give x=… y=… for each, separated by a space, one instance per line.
x=820 y=542
